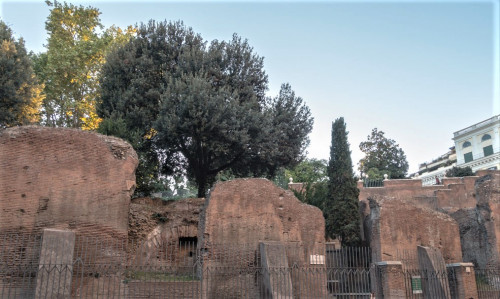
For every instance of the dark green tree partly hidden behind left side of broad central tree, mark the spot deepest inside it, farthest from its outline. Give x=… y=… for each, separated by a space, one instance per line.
x=133 y=81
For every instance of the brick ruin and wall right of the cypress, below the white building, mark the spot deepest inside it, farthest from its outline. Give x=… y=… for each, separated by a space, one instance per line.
x=458 y=217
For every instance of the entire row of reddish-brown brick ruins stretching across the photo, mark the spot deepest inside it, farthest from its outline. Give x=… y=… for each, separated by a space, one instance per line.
x=249 y=238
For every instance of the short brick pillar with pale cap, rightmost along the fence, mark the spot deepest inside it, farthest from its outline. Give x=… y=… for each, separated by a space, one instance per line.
x=462 y=280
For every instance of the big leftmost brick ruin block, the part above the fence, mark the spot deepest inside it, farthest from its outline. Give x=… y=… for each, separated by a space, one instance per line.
x=67 y=179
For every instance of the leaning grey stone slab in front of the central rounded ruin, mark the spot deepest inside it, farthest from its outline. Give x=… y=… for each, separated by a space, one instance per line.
x=276 y=277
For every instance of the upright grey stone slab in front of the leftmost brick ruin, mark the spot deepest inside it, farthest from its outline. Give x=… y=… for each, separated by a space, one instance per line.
x=55 y=267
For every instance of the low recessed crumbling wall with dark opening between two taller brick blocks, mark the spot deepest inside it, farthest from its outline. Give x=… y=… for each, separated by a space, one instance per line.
x=164 y=233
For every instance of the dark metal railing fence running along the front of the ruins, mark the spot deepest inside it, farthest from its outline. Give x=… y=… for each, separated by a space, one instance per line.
x=180 y=268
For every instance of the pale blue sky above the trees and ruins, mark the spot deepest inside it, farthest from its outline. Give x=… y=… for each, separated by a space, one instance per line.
x=418 y=71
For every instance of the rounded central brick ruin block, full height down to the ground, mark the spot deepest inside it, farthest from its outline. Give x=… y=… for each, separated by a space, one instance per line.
x=238 y=215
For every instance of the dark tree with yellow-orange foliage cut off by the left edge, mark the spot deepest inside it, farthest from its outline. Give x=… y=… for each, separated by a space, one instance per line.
x=20 y=94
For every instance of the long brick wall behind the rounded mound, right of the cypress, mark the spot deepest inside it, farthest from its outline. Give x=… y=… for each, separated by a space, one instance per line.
x=473 y=202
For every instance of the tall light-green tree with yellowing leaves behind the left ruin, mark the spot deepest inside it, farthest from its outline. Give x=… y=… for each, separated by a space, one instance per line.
x=75 y=54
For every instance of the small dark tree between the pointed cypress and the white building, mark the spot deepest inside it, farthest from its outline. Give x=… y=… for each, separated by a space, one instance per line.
x=383 y=155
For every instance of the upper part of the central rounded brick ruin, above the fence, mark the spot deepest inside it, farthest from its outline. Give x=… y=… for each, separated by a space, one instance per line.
x=246 y=211
